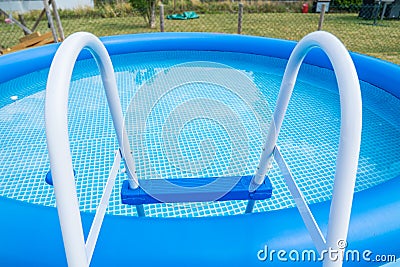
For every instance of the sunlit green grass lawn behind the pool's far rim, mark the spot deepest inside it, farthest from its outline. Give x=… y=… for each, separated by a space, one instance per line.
x=382 y=40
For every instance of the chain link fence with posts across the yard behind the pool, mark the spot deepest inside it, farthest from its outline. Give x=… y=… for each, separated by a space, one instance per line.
x=369 y=28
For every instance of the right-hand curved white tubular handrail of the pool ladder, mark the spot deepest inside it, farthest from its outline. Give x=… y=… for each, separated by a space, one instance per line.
x=350 y=130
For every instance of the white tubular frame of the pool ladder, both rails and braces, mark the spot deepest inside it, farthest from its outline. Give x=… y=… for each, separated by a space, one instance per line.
x=79 y=253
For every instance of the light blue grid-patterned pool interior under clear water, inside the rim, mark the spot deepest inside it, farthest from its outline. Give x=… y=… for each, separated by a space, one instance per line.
x=308 y=140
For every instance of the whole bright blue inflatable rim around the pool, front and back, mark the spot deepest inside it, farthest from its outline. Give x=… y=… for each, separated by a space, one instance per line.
x=30 y=234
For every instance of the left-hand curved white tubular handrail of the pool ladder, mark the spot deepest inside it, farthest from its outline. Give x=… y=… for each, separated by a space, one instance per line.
x=56 y=111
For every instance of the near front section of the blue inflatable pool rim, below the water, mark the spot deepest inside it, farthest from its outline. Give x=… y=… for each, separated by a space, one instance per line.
x=31 y=235
